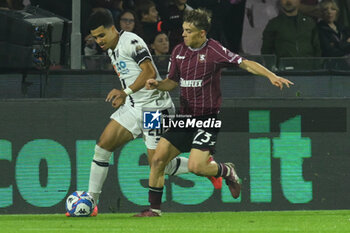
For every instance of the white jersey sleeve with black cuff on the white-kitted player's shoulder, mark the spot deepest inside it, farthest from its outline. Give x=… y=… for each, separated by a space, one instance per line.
x=138 y=50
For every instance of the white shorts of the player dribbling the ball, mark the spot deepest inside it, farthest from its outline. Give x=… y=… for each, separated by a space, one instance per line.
x=132 y=119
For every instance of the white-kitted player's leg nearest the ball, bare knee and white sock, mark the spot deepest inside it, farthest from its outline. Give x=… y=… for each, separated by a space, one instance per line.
x=113 y=136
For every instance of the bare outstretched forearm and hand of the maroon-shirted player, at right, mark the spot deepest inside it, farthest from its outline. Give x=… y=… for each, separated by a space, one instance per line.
x=255 y=68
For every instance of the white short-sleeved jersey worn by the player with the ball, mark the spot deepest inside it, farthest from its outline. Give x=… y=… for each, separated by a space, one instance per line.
x=129 y=53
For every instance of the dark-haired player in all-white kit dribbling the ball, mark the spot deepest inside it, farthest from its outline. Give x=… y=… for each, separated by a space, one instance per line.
x=133 y=63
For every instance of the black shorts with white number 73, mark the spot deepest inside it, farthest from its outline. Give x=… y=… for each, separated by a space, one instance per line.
x=198 y=138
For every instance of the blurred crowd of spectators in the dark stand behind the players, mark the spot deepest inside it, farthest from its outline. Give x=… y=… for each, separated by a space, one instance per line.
x=283 y=28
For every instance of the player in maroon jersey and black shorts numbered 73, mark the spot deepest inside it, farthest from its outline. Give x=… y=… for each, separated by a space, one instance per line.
x=195 y=66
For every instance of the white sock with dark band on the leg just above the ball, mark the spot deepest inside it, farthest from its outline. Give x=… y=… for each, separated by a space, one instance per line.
x=98 y=172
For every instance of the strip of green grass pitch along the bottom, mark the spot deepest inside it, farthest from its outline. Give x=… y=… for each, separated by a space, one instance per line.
x=259 y=222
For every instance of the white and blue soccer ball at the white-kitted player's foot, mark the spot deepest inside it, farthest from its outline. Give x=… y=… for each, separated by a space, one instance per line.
x=79 y=204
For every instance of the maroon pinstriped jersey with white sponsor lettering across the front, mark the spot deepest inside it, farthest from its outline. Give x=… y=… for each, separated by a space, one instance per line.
x=198 y=73
